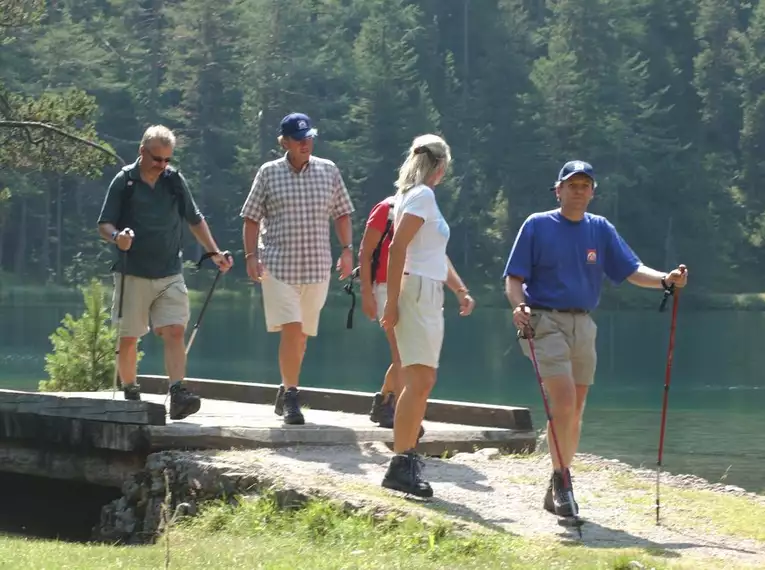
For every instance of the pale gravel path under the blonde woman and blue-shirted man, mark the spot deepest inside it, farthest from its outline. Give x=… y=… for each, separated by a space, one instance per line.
x=505 y=493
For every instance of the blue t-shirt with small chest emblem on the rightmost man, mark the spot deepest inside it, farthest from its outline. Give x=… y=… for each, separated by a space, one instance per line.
x=563 y=263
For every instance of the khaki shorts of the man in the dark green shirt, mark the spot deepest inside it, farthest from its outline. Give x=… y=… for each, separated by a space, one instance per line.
x=162 y=302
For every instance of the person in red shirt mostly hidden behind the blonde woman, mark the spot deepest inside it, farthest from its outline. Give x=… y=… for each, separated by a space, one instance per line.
x=373 y=275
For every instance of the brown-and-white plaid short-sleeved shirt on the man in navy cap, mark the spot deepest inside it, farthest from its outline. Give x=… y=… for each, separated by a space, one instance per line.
x=293 y=208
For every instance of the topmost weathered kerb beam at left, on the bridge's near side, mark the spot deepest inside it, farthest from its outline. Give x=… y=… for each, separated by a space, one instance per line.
x=118 y=410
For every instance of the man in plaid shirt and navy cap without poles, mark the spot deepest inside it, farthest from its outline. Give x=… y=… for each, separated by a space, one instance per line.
x=287 y=246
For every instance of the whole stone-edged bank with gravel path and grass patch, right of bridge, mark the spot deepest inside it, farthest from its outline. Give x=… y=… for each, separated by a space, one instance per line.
x=476 y=492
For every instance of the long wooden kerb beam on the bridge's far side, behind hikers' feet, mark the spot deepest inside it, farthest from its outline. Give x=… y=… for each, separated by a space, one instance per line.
x=352 y=402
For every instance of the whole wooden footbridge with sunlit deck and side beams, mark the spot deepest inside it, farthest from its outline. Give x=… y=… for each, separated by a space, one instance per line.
x=101 y=438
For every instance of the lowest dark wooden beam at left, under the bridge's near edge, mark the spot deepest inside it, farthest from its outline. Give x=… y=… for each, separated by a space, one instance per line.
x=110 y=469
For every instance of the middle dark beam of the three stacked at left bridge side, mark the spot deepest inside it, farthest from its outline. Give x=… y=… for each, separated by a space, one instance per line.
x=73 y=433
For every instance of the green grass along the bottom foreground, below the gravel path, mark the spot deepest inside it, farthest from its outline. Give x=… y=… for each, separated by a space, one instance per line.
x=321 y=536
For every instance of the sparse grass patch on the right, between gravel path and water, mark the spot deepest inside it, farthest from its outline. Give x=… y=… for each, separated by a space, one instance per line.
x=726 y=514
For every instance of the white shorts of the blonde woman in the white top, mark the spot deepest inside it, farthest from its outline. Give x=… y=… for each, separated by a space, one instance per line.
x=420 y=327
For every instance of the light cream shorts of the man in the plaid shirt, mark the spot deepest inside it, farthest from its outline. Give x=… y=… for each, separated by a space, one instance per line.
x=286 y=303
